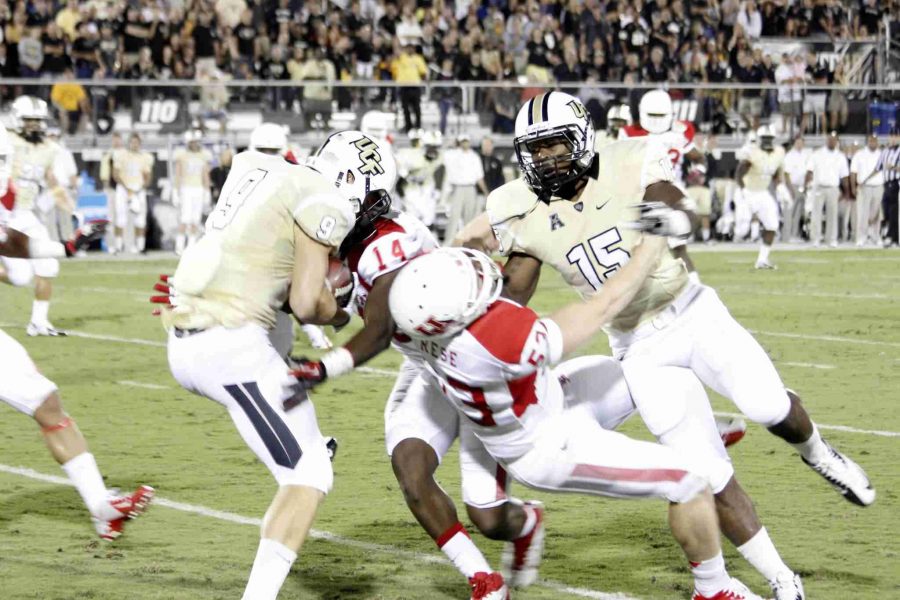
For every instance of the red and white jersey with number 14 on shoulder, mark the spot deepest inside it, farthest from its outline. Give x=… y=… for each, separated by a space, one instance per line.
x=396 y=241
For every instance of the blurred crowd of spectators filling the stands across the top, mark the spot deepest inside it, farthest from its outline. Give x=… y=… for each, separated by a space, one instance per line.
x=408 y=41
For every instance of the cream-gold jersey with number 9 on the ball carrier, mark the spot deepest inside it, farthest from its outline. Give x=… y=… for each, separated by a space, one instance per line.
x=240 y=270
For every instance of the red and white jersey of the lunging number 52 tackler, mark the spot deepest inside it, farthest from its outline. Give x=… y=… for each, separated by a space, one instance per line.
x=496 y=373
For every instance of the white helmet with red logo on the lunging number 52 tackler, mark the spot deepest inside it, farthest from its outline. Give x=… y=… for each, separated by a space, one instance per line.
x=439 y=294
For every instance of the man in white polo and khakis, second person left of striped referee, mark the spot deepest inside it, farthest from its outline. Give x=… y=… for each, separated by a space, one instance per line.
x=828 y=173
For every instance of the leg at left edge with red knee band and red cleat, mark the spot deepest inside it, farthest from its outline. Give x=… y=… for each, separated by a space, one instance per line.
x=29 y=392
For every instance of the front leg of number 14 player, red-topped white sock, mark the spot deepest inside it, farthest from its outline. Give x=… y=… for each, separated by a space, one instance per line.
x=420 y=427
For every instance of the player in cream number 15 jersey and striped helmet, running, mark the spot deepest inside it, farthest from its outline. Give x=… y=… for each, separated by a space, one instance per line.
x=547 y=217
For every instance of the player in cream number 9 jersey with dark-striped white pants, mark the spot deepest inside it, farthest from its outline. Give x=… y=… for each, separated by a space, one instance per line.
x=266 y=243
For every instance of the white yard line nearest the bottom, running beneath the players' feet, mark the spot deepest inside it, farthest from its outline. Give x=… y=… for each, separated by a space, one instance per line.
x=318 y=534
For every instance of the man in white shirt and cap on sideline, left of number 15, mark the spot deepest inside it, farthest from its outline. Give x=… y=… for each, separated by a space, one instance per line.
x=465 y=178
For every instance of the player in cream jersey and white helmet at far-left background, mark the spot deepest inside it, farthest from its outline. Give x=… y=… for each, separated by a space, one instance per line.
x=30 y=158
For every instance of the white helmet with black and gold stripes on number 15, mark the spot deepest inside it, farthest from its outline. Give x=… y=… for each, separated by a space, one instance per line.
x=547 y=120
